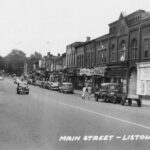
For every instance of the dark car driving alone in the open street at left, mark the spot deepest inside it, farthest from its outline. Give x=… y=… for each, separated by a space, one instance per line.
x=22 y=87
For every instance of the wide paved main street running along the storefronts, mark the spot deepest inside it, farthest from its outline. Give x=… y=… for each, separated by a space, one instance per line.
x=49 y=120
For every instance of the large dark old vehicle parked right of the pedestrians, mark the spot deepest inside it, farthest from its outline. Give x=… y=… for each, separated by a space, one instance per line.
x=109 y=92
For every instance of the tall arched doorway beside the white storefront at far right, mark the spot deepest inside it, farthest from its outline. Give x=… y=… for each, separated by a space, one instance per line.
x=132 y=86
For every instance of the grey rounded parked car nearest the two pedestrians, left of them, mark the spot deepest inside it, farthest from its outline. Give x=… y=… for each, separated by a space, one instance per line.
x=66 y=87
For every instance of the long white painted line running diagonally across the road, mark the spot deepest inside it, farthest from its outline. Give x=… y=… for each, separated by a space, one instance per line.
x=104 y=115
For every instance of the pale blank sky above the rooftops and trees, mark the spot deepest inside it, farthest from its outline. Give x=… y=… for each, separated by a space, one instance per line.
x=50 y=25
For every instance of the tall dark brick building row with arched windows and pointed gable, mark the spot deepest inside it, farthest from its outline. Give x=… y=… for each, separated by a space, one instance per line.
x=113 y=57
